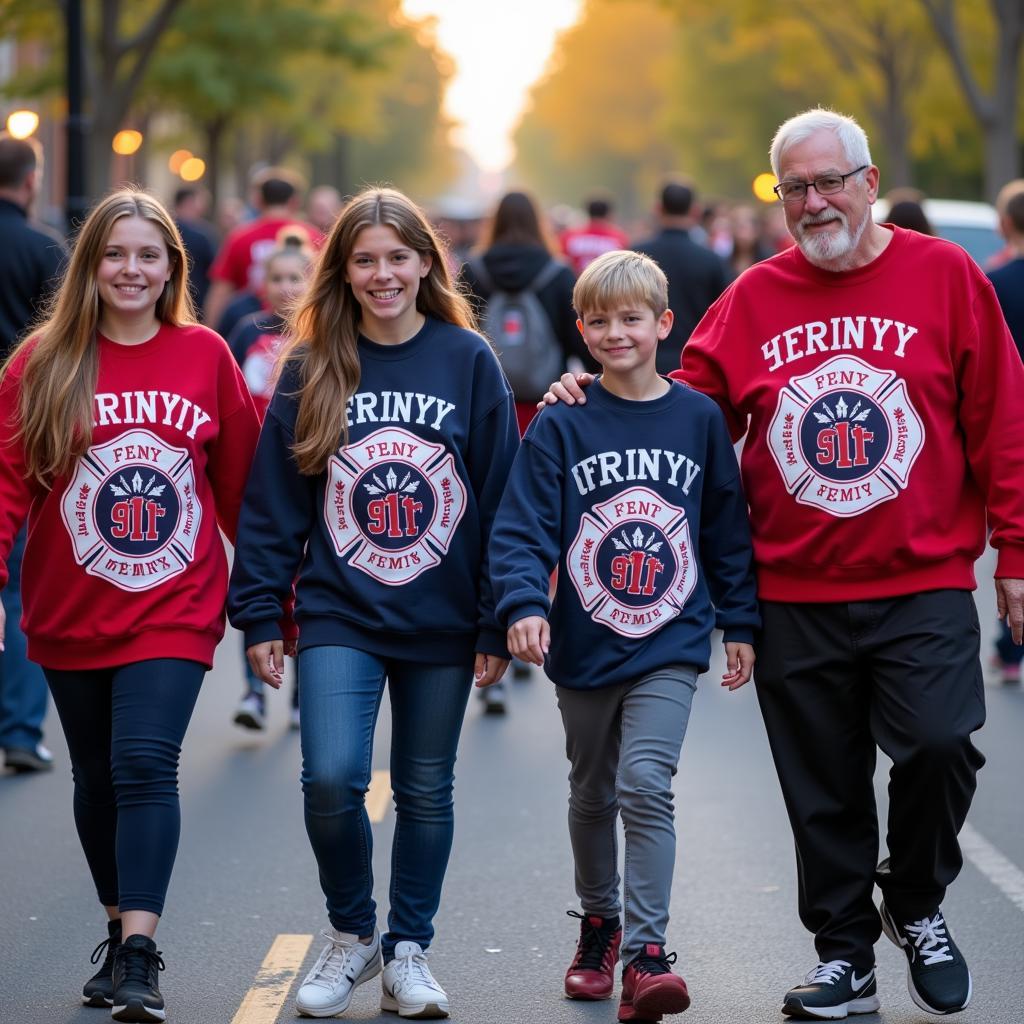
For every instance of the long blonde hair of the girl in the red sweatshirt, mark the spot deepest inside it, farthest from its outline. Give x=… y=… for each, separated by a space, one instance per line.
x=59 y=381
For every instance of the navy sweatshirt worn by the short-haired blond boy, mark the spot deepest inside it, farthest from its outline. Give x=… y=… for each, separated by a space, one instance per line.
x=641 y=505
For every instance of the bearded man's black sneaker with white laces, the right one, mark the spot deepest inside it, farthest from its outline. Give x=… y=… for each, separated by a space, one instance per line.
x=937 y=975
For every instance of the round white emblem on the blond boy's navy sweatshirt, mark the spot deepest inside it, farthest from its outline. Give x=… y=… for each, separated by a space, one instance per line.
x=631 y=563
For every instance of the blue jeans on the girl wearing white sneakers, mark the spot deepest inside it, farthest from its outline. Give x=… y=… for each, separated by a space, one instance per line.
x=339 y=701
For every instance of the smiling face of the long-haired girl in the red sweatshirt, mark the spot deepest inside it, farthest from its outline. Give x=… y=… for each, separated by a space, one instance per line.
x=134 y=269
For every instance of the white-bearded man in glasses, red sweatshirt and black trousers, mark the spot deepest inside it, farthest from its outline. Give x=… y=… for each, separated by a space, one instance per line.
x=877 y=385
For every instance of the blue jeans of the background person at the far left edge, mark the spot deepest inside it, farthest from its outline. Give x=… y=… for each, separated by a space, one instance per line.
x=23 y=687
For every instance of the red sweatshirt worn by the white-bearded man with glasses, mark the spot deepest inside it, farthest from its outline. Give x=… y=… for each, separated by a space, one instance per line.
x=882 y=409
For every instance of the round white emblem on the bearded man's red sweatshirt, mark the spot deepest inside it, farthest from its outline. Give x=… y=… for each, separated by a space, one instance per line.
x=845 y=437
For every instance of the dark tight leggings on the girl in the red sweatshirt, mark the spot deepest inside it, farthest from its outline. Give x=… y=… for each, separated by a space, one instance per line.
x=124 y=729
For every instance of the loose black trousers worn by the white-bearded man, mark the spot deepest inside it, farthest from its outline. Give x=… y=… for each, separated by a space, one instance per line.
x=838 y=681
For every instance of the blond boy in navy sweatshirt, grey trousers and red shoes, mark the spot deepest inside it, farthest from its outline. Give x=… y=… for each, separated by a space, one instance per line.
x=636 y=497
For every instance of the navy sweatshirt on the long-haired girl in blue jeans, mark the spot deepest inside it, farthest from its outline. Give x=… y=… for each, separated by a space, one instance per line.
x=393 y=538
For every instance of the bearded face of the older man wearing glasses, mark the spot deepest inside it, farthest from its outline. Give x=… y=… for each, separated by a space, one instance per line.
x=832 y=231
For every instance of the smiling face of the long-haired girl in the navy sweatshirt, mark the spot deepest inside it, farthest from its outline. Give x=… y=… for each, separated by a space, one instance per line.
x=386 y=276
